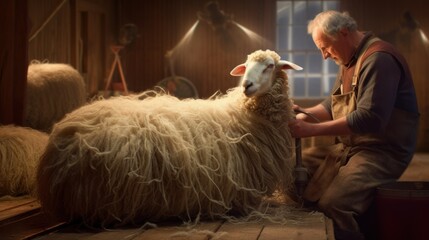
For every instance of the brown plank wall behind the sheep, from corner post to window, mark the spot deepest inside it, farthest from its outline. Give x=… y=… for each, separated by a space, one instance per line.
x=207 y=58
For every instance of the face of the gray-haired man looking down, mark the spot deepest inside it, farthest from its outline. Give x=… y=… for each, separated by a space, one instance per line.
x=336 y=49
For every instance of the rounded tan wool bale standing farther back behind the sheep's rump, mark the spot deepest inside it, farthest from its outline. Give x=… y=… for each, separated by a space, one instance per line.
x=53 y=90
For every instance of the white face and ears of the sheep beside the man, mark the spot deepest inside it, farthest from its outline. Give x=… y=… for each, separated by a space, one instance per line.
x=259 y=73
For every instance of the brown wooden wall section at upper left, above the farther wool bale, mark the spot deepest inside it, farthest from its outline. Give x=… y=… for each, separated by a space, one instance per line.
x=76 y=32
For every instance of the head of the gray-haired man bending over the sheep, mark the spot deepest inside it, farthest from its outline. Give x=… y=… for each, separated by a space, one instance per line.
x=334 y=33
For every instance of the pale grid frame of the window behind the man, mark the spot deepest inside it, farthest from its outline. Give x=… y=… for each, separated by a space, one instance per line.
x=329 y=69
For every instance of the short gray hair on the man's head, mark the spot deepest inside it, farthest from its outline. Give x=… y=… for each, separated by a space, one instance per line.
x=330 y=22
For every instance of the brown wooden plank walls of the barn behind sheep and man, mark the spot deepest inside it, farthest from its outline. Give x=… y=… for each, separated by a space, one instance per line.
x=81 y=32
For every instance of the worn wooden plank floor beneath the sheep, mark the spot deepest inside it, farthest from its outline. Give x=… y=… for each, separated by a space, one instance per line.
x=21 y=218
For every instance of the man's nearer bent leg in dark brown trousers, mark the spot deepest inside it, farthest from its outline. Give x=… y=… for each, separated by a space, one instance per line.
x=353 y=189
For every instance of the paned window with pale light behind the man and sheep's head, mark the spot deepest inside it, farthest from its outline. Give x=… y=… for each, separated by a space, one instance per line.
x=295 y=45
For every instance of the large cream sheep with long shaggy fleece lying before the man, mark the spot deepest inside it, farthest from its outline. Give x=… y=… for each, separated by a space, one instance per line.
x=152 y=157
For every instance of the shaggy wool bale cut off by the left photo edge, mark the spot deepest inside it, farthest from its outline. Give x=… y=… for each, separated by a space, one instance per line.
x=20 y=150
